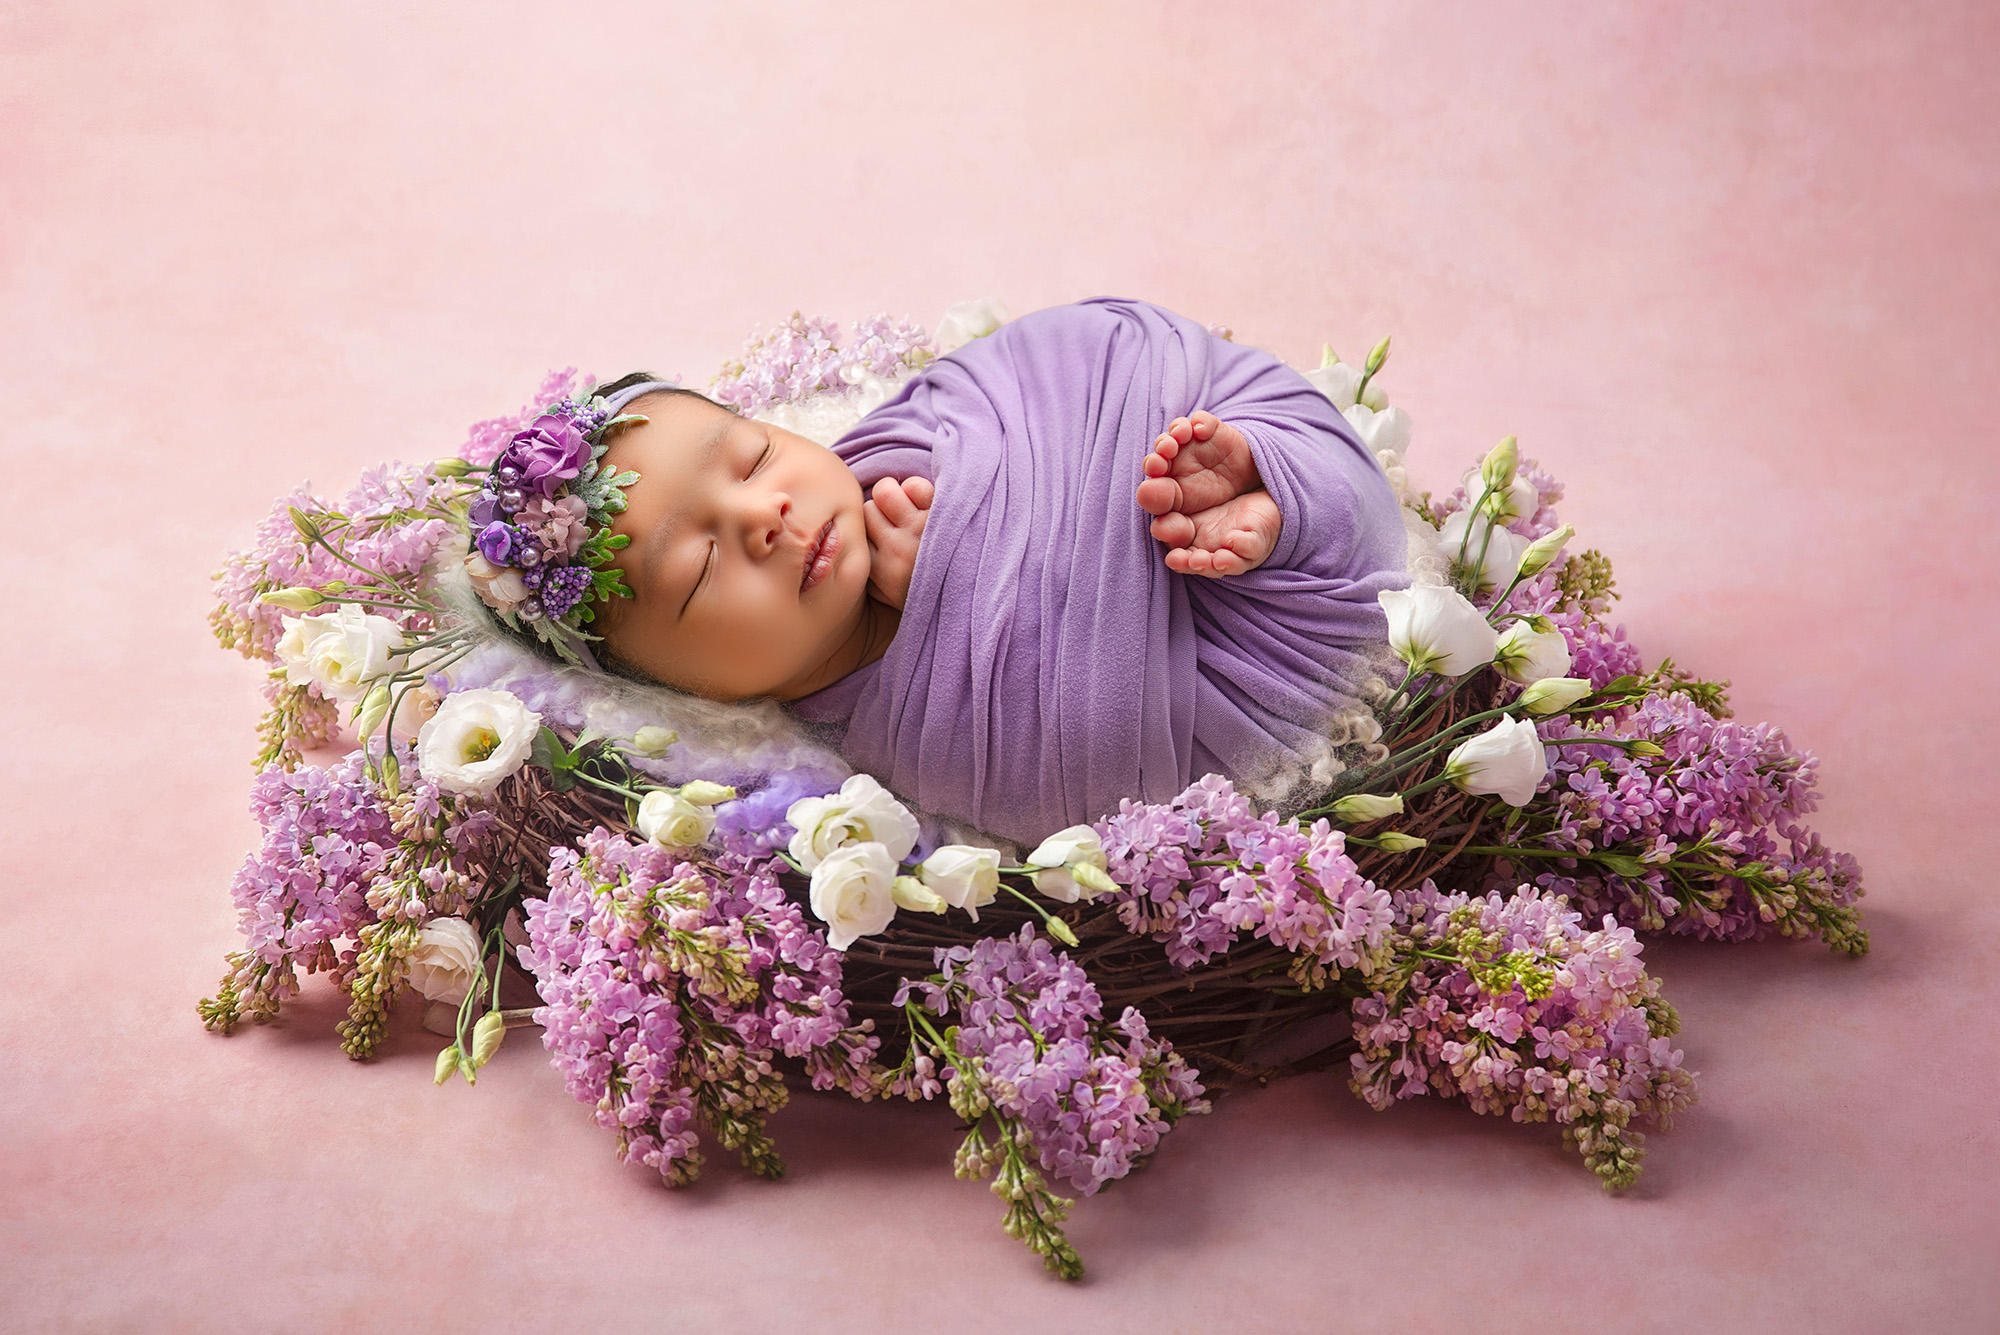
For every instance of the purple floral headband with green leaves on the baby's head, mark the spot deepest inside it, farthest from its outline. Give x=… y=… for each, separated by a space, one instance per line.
x=541 y=523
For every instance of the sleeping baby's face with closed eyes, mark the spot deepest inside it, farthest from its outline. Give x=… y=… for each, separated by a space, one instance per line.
x=749 y=561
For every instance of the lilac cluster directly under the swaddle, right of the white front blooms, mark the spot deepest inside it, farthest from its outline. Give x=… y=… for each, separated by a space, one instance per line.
x=1291 y=886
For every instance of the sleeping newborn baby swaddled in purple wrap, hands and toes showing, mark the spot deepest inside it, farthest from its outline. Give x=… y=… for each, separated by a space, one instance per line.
x=1091 y=557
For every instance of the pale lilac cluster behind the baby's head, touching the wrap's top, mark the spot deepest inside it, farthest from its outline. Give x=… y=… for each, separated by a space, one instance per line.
x=805 y=357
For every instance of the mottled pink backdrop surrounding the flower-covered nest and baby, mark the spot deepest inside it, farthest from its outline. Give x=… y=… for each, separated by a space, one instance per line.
x=1727 y=269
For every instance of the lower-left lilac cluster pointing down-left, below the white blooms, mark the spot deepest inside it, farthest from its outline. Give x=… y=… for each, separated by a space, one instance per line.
x=327 y=836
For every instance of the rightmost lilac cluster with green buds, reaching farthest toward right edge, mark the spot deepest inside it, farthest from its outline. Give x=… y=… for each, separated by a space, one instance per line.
x=1703 y=840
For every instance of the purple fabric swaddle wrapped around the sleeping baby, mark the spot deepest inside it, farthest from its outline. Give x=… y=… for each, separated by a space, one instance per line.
x=1047 y=663
